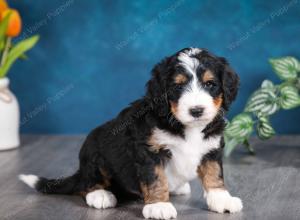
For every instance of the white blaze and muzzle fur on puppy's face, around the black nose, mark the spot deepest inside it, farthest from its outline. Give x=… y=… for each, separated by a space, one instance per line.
x=194 y=95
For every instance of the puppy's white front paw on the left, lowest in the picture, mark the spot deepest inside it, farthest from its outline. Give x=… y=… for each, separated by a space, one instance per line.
x=160 y=210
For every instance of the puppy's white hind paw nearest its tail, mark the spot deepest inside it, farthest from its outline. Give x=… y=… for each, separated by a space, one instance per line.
x=101 y=199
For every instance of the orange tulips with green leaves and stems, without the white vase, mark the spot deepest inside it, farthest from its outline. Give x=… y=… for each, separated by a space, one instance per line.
x=10 y=27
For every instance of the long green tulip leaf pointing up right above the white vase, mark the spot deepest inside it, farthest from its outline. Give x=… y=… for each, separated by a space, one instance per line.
x=16 y=52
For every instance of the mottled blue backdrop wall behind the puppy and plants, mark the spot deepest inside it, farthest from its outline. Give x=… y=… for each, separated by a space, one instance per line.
x=94 y=57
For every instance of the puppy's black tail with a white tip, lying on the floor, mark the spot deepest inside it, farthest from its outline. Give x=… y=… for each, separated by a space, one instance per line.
x=68 y=185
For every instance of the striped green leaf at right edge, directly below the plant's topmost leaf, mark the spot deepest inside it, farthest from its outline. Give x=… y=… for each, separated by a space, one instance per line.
x=289 y=97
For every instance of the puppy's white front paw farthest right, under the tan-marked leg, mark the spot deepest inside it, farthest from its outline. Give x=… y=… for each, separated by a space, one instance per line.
x=220 y=201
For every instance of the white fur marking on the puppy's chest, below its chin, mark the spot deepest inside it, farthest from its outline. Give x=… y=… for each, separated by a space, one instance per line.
x=186 y=153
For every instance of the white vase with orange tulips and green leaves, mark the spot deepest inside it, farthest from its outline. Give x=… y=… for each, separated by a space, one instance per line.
x=10 y=27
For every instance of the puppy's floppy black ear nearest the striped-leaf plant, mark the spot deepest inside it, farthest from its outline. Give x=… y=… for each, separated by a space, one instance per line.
x=230 y=84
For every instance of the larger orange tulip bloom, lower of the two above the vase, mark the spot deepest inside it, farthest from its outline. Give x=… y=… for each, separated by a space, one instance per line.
x=14 y=23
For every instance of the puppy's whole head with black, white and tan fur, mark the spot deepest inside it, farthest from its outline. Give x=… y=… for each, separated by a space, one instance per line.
x=197 y=85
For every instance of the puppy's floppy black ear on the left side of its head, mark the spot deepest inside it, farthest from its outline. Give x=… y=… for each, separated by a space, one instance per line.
x=157 y=92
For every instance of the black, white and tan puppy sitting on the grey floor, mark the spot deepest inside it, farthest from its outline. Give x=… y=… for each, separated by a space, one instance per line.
x=160 y=142
